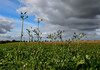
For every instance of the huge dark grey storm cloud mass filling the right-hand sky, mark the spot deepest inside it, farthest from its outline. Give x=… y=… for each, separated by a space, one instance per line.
x=72 y=15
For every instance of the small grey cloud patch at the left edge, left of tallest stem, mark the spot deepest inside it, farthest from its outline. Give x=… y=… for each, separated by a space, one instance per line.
x=6 y=24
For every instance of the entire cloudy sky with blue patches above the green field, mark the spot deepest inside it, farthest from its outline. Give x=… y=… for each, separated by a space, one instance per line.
x=68 y=15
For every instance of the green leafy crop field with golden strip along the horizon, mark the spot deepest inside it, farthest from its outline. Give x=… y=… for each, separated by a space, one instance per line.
x=50 y=56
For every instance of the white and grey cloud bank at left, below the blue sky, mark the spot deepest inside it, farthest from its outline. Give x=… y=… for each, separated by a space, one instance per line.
x=11 y=28
